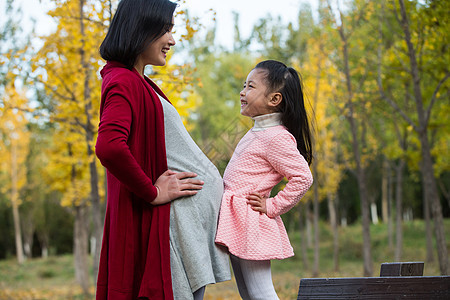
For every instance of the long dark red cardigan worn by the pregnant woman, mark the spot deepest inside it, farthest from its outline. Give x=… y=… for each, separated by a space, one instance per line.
x=135 y=255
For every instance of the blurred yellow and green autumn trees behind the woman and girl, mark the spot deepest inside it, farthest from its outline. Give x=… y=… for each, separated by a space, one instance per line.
x=376 y=78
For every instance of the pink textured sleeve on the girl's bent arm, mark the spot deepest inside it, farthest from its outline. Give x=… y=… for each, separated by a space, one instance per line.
x=285 y=158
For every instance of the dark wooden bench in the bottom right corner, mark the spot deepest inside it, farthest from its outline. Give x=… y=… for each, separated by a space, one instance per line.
x=396 y=281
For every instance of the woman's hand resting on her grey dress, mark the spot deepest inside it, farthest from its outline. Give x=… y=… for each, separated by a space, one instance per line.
x=172 y=185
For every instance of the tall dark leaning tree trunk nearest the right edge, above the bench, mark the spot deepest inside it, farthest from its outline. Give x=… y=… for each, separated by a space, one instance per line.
x=428 y=179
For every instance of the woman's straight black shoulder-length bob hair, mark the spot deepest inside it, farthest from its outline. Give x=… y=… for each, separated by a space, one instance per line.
x=134 y=26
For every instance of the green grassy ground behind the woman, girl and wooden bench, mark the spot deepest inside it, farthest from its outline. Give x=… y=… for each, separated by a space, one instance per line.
x=53 y=278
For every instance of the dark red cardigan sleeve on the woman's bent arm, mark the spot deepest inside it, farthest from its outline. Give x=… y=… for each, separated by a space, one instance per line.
x=112 y=148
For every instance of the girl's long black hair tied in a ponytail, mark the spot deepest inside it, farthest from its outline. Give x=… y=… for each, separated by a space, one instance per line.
x=286 y=81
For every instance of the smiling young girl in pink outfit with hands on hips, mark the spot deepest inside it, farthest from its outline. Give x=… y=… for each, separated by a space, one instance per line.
x=278 y=145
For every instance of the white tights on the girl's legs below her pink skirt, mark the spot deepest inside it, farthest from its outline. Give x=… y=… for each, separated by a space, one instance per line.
x=253 y=278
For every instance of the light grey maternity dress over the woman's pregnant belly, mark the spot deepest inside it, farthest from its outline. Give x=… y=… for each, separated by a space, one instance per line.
x=195 y=259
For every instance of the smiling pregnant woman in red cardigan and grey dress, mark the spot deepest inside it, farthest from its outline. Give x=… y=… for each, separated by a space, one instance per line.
x=163 y=192
